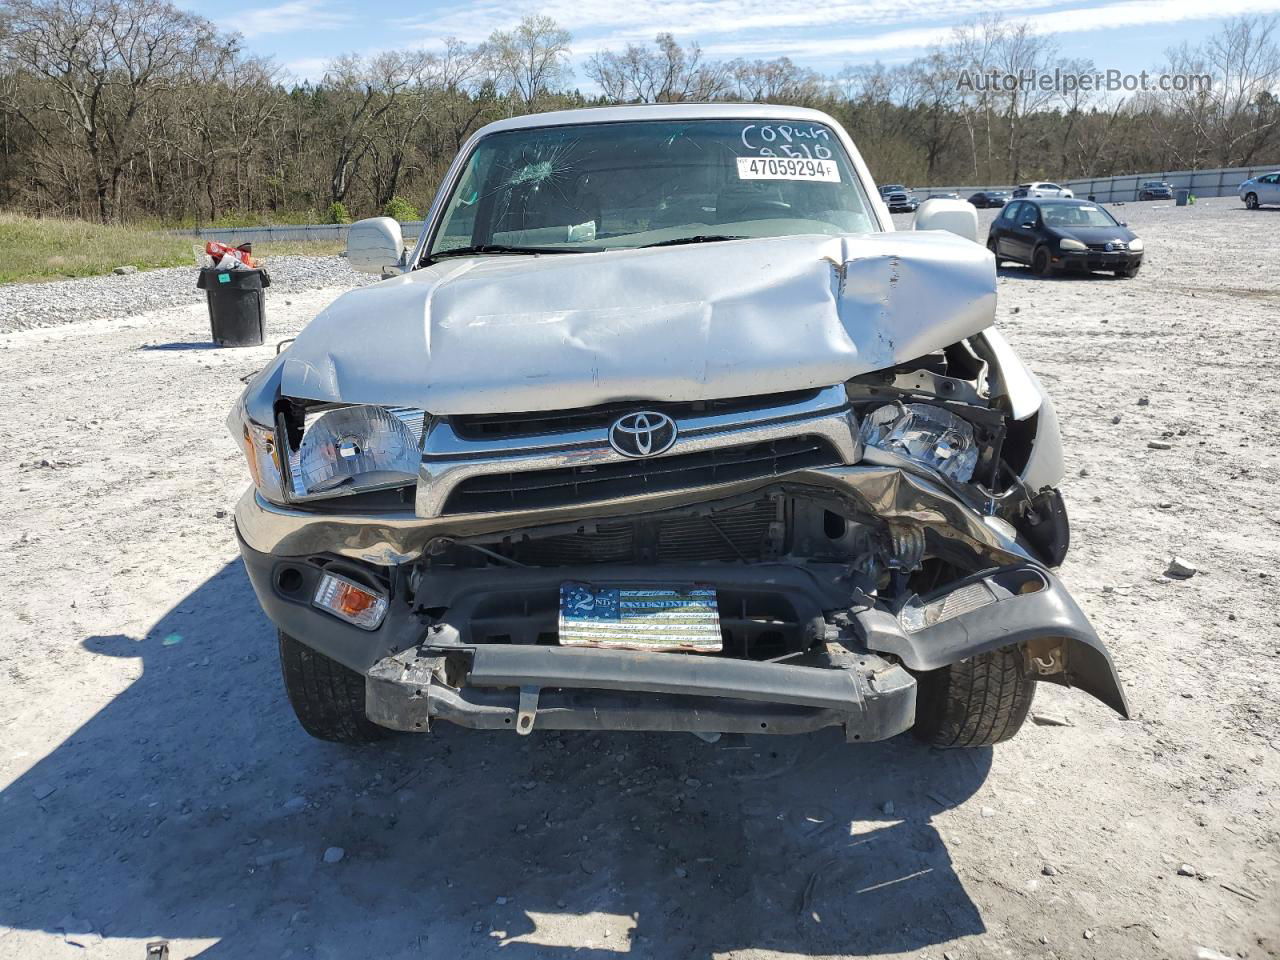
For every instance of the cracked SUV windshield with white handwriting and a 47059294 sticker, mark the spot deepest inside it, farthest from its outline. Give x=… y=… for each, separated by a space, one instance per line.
x=628 y=185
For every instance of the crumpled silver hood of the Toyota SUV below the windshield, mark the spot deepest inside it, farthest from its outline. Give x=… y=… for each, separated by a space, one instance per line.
x=702 y=322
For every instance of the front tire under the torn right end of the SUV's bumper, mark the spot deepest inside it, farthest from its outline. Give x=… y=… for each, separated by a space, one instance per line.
x=979 y=702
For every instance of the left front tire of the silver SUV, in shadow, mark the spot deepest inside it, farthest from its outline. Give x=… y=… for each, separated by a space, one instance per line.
x=327 y=698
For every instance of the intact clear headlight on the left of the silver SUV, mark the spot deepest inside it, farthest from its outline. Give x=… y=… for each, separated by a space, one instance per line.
x=359 y=449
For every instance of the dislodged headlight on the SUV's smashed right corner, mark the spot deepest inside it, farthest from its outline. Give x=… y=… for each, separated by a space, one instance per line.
x=926 y=435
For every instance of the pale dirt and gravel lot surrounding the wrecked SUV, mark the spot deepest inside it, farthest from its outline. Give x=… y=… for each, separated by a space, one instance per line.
x=154 y=783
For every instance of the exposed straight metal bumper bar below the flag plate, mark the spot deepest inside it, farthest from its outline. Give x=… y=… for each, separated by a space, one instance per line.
x=552 y=688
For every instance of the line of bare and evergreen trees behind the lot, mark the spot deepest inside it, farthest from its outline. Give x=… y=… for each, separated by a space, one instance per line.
x=122 y=111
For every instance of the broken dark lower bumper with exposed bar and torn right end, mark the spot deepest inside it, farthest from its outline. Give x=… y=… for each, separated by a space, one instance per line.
x=444 y=664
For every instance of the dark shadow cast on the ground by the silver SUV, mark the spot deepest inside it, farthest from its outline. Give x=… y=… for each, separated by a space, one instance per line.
x=193 y=807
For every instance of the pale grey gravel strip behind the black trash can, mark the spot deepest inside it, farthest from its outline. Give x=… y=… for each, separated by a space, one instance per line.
x=25 y=307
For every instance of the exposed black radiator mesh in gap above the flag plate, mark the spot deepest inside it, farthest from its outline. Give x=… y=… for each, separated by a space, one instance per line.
x=740 y=534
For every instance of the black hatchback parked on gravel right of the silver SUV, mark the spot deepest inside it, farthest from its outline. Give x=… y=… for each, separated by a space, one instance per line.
x=1055 y=235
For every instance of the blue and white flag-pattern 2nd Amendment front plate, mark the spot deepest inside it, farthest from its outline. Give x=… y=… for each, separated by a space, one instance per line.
x=660 y=618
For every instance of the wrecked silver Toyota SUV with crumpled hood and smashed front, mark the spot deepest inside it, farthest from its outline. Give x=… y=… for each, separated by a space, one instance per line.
x=661 y=427
